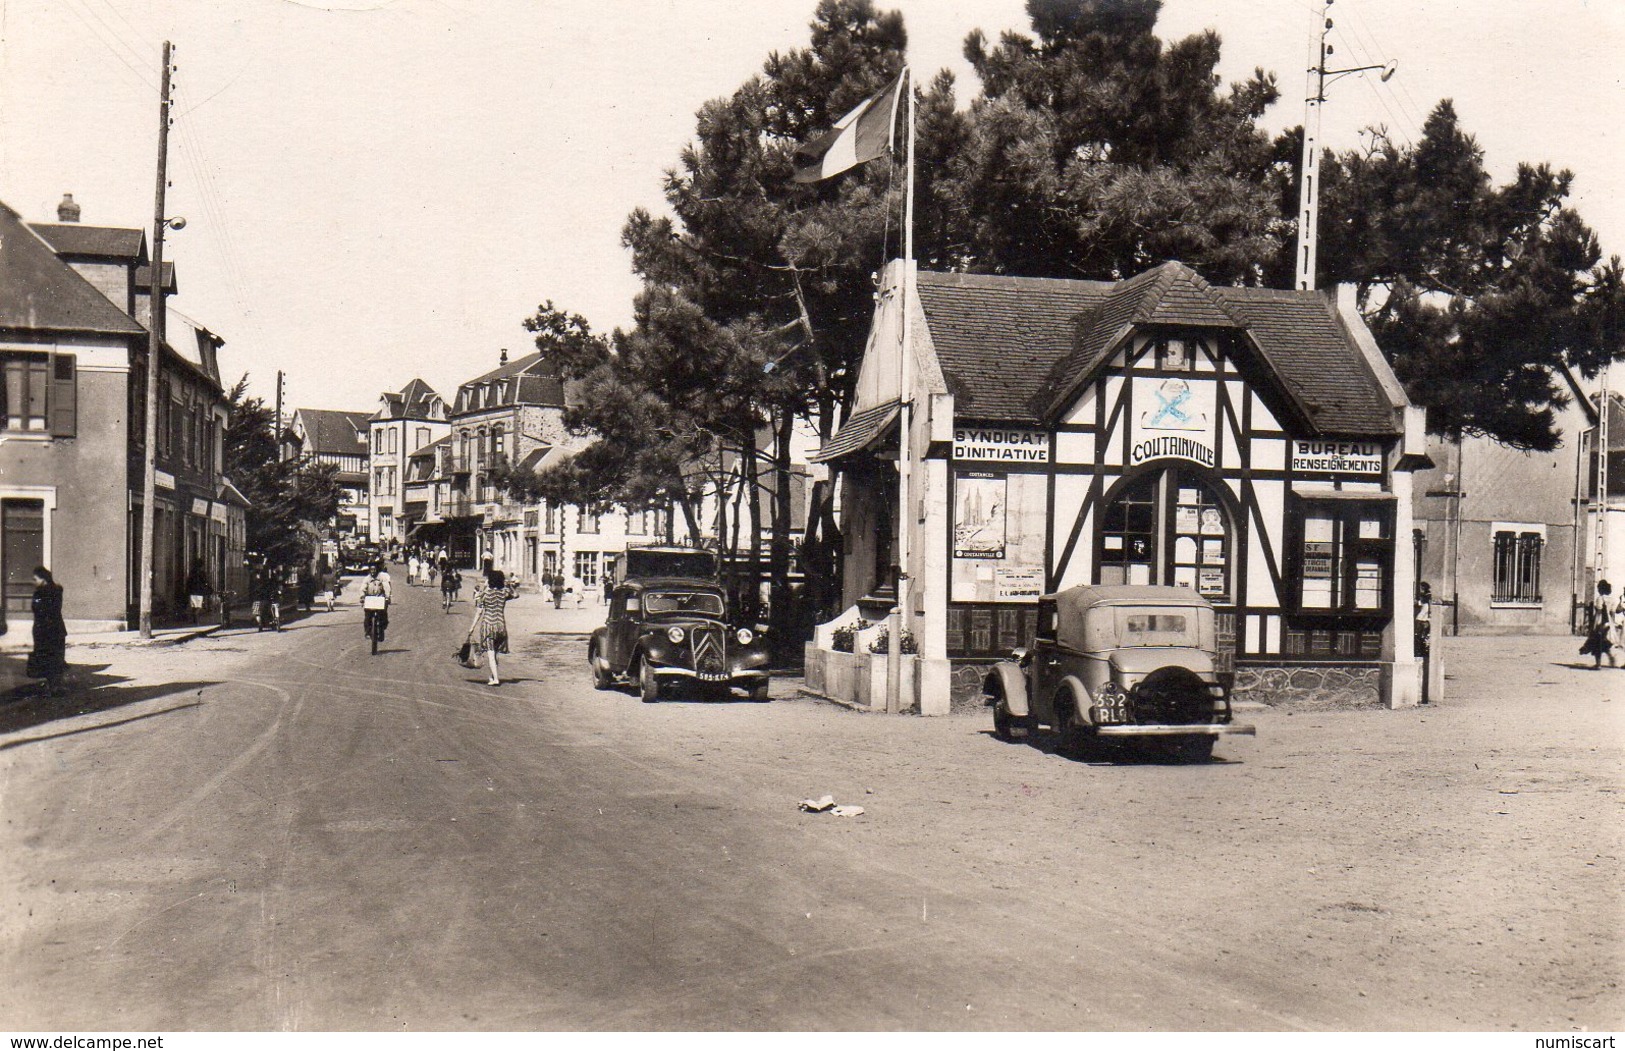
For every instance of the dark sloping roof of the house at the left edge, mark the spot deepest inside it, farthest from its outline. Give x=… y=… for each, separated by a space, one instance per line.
x=41 y=293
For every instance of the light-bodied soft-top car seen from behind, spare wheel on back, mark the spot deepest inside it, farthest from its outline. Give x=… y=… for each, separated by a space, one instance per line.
x=1125 y=662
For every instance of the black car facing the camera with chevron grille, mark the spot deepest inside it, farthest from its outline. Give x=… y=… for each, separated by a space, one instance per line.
x=675 y=631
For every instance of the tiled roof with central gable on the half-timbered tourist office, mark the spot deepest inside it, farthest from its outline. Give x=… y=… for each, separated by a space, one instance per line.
x=1016 y=348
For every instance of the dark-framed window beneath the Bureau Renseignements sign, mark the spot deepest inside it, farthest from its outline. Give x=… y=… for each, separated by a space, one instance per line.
x=1346 y=556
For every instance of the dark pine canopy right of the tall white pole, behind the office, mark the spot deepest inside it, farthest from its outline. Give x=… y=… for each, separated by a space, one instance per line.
x=1476 y=293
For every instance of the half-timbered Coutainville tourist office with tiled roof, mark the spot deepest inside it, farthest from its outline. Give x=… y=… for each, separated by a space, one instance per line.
x=1249 y=444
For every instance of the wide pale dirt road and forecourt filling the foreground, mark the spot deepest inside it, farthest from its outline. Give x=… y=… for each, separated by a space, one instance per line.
x=282 y=834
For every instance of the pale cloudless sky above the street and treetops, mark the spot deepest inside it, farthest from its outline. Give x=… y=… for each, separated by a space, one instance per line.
x=384 y=189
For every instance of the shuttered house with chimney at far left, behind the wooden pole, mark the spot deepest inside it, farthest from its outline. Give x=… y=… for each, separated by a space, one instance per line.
x=72 y=469
